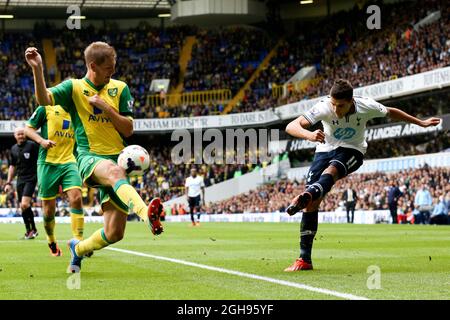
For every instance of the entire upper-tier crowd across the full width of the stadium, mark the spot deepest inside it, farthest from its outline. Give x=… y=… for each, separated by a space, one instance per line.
x=226 y=58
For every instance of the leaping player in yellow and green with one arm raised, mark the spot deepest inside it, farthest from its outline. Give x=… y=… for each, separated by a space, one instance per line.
x=101 y=112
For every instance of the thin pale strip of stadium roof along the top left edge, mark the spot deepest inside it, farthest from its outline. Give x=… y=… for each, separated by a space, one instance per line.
x=142 y=4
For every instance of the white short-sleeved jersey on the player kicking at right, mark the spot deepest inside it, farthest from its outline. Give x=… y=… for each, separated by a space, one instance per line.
x=348 y=132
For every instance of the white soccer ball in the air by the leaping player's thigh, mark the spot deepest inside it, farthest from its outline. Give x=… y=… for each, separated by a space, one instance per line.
x=134 y=159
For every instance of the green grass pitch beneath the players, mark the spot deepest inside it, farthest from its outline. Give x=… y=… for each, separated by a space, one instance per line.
x=414 y=263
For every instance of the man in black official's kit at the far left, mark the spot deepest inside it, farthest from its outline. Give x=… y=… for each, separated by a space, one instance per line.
x=23 y=161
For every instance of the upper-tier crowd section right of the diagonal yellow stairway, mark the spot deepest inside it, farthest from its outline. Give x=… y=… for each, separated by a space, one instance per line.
x=397 y=50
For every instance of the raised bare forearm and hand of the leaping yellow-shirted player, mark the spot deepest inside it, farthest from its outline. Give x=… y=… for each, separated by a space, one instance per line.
x=34 y=60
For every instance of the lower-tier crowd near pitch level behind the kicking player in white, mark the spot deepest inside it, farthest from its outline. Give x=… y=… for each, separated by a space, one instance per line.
x=371 y=192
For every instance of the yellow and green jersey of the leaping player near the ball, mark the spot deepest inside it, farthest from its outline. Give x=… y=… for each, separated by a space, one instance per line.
x=94 y=131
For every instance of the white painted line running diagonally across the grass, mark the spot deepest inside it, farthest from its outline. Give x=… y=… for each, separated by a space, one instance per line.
x=243 y=274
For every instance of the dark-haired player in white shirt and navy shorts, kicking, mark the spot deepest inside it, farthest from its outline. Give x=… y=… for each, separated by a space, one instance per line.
x=340 y=151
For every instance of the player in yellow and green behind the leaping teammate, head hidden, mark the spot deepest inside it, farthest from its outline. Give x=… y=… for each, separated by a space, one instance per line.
x=56 y=167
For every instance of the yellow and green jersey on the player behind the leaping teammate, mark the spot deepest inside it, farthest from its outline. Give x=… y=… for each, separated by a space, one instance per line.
x=55 y=125
